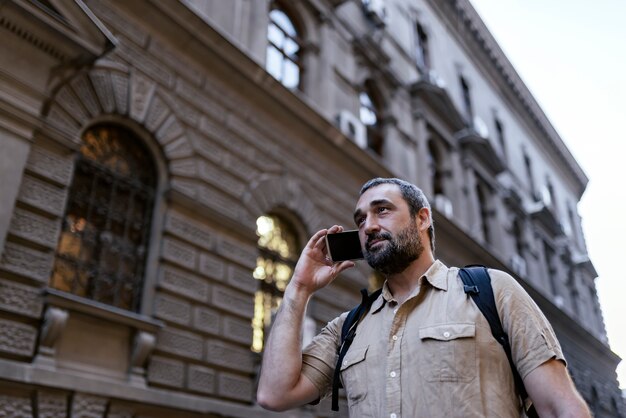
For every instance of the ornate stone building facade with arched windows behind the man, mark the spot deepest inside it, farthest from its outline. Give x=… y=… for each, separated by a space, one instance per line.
x=162 y=163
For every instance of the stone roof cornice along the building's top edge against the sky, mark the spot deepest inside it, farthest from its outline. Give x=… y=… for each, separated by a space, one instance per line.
x=474 y=31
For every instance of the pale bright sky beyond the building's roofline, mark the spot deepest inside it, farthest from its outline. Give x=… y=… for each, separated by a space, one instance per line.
x=572 y=56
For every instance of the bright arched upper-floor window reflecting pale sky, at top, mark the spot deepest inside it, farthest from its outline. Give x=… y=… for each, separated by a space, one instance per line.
x=283 y=60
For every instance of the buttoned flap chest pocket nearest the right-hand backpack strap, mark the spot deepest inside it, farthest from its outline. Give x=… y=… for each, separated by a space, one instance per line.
x=448 y=352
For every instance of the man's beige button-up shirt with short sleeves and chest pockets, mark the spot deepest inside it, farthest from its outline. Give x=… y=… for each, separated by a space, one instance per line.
x=434 y=355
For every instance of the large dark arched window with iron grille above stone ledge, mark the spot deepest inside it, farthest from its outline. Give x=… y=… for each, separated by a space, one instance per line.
x=101 y=253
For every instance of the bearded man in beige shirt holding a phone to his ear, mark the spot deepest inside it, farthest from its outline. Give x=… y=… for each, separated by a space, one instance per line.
x=423 y=349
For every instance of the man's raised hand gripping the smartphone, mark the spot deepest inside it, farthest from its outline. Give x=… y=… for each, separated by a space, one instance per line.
x=315 y=269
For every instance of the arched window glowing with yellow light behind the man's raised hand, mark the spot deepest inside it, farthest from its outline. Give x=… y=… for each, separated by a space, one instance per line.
x=278 y=254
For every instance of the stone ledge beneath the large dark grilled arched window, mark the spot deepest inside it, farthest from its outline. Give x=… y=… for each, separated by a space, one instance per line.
x=75 y=303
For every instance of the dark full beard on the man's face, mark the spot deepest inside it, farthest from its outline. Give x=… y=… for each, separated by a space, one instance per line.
x=399 y=252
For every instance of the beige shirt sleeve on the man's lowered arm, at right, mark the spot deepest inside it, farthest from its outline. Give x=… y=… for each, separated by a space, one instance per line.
x=533 y=341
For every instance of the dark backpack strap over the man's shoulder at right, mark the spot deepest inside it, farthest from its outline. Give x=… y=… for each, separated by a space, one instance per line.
x=477 y=284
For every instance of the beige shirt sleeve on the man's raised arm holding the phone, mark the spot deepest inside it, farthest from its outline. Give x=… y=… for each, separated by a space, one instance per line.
x=320 y=356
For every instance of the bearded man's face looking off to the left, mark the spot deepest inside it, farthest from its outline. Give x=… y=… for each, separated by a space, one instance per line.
x=390 y=237
